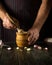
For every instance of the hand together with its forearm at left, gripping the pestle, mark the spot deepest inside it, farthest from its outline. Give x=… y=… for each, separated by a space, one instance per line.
x=6 y=19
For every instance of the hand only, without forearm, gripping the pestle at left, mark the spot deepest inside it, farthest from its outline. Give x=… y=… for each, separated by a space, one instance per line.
x=6 y=23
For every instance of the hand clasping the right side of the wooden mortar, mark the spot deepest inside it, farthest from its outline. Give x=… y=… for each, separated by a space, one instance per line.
x=33 y=35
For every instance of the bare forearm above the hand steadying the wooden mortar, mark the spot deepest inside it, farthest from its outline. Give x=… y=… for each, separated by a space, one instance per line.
x=42 y=15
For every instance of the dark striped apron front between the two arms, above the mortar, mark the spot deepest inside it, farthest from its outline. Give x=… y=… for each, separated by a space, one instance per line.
x=24 y=10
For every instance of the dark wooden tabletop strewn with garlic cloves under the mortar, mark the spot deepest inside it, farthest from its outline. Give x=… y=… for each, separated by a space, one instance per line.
x=24 y=57
